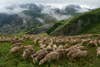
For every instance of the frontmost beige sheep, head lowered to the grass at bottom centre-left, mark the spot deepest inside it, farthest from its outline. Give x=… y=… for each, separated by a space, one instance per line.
x=54 y=55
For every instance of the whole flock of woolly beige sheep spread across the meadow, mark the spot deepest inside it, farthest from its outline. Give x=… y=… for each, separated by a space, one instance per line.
x=54 y=48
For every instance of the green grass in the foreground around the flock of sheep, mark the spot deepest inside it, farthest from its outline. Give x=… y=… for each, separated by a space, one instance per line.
x=11 y=60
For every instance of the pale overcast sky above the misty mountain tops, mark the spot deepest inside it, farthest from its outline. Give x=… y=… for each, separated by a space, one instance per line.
x=90 y=3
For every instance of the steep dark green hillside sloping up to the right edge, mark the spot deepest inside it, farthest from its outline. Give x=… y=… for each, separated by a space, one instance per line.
x=81 y=24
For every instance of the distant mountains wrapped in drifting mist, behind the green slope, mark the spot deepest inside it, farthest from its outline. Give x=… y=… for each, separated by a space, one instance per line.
x=30 y=16
